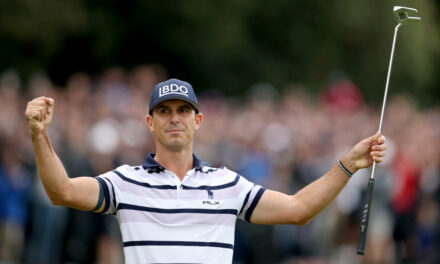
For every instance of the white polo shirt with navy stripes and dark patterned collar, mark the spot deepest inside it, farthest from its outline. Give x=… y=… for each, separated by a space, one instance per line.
x=165 y=220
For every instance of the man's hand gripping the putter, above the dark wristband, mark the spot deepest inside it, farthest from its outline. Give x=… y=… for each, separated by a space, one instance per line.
x=364 y=153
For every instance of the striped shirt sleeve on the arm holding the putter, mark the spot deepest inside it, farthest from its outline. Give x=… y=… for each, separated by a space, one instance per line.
x=251 y=195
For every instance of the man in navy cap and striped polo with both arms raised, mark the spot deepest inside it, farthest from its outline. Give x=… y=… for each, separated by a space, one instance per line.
x=175 y=208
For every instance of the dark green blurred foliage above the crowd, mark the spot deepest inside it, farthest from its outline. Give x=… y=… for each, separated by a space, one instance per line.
x=227 y=45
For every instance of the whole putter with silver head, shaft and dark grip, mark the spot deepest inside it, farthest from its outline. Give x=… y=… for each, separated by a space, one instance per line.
x=401 y=14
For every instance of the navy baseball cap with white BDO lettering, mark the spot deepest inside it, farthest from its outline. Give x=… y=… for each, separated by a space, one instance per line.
x=173 y=89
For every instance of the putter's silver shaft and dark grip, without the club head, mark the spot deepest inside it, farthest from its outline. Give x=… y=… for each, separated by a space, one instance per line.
x=367 y=204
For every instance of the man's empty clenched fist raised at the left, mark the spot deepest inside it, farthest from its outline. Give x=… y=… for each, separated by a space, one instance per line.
x=39 y=114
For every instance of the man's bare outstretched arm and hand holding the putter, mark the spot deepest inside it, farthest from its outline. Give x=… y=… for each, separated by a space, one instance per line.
x=278 y=208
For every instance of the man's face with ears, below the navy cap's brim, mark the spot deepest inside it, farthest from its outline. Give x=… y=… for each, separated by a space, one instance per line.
x=173 y=122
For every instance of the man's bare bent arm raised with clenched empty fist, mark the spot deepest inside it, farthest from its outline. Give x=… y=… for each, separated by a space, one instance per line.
x=81 y=193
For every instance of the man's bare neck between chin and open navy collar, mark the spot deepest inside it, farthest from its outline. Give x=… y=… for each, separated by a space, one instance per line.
x=178 y=162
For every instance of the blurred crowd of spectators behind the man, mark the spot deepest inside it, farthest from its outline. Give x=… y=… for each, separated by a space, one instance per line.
x=281 y=140
